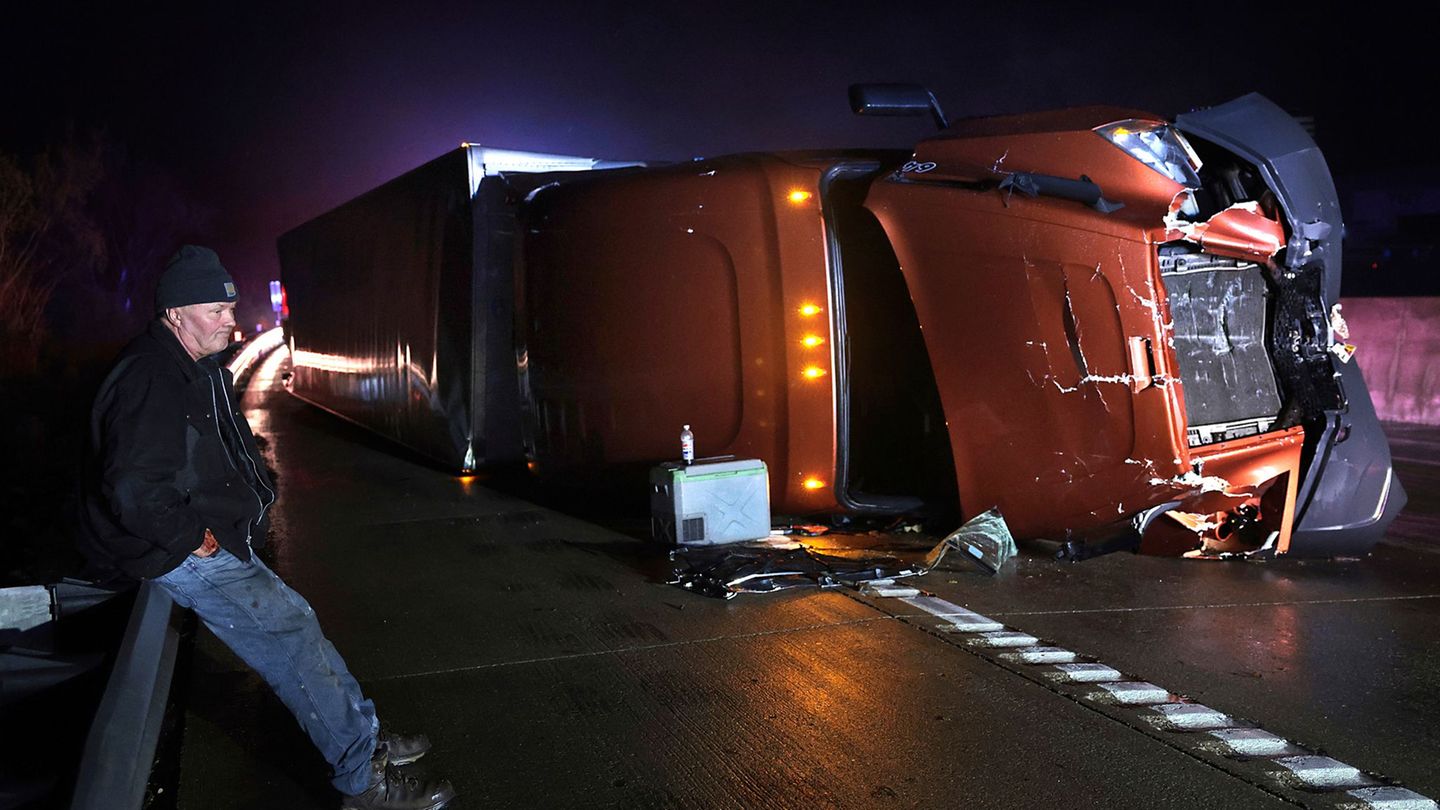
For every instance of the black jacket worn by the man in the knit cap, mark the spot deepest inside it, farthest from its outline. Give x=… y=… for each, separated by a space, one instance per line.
x=171 y=456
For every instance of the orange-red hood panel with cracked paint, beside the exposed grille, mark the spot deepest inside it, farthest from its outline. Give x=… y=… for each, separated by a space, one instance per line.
x=1048 y=335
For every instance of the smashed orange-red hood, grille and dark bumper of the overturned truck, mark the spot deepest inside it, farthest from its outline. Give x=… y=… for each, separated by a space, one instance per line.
x=1131 y=328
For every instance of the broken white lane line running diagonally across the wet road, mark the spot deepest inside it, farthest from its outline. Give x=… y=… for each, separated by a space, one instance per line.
x=1225 y=736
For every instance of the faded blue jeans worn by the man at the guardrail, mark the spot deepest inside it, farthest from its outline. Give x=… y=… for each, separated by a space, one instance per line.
x=276 y=632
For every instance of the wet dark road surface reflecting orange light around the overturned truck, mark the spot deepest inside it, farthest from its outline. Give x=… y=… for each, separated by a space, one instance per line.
x=552 y=667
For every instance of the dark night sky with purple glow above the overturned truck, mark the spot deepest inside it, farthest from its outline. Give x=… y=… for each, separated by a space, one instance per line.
x=270 y=115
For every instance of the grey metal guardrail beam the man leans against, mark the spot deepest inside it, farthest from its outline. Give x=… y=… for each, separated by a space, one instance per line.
x=120 y=747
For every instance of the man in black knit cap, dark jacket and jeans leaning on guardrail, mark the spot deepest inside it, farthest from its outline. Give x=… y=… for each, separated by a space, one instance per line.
x=176 y=494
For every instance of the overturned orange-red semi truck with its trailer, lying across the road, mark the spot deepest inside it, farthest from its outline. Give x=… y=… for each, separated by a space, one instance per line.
x=1115 y=328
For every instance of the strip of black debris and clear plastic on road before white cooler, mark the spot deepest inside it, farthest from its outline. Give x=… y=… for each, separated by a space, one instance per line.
x=778 y=564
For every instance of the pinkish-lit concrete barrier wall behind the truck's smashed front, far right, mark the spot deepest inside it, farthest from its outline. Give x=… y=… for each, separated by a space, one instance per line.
x=1399 y=351
